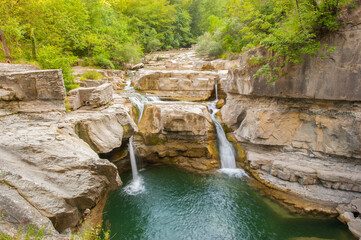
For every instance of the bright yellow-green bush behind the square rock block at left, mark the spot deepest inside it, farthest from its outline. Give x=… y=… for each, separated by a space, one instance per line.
x=51 y=57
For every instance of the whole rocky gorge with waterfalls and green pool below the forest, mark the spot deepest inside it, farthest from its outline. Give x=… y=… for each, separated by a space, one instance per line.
x=186 y=148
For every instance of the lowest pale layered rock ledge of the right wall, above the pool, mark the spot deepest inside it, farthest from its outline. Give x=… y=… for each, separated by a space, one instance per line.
x=305 y=171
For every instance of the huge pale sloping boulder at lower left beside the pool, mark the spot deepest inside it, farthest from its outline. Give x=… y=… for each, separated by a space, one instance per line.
x=52 y=169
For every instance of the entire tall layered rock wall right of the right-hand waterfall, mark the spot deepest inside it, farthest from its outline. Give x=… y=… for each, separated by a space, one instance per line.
x=302 y=133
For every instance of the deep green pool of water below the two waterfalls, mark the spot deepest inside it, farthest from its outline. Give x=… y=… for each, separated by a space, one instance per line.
x=182 y=205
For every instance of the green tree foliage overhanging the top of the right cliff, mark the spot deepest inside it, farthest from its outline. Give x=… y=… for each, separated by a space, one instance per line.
x=289 y=29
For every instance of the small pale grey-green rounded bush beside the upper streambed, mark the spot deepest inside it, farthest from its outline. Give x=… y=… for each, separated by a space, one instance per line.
x=209 y=47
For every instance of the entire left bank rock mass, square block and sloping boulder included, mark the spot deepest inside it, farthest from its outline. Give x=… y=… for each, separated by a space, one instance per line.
x=50 y=172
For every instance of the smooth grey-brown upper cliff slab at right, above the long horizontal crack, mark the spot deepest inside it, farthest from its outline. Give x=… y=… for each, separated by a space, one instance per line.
x=334 y=77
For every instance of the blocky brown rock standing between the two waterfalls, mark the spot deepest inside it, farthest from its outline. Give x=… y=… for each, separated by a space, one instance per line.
x=178 y=134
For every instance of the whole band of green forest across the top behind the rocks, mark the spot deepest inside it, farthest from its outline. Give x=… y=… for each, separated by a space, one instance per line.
x=113 y=33
